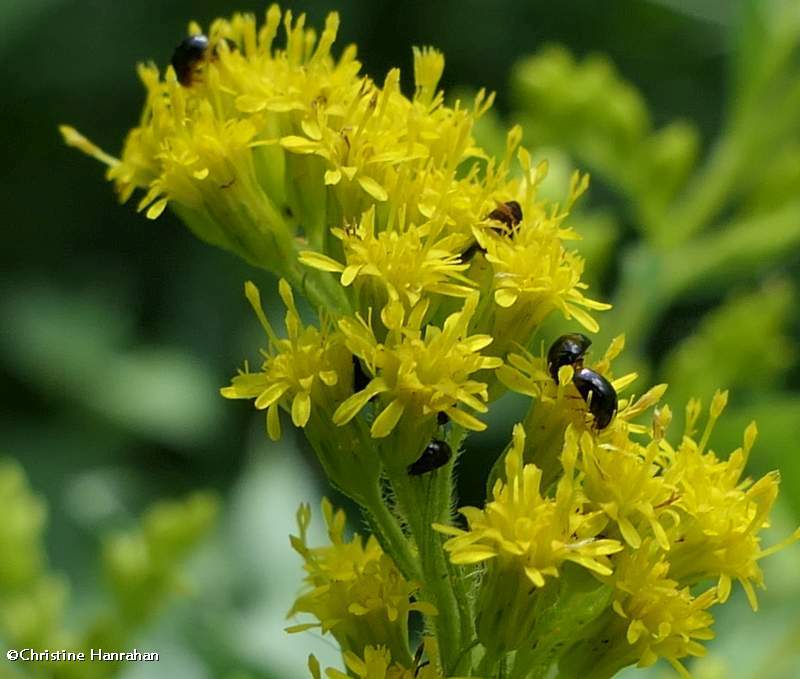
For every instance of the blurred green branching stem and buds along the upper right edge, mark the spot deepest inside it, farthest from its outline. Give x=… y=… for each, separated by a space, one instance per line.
x=730 y=222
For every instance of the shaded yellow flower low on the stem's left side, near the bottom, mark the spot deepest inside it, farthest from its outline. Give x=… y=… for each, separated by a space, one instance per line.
x=355 y=591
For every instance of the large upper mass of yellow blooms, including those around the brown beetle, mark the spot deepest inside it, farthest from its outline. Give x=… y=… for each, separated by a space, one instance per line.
x=269 y=151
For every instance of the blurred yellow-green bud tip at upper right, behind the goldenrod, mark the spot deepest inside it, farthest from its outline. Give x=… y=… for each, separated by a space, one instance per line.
x=589 y=110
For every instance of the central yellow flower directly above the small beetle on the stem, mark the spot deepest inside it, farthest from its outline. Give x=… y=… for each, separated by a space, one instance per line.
x=419 y=373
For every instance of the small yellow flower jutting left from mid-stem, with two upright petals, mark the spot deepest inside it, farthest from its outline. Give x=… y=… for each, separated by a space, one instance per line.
x=301 y=370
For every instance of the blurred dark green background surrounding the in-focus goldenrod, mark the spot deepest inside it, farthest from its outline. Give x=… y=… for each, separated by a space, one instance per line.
x=116 y=332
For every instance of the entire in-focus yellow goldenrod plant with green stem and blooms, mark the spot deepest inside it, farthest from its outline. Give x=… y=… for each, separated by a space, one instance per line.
x=431 y=266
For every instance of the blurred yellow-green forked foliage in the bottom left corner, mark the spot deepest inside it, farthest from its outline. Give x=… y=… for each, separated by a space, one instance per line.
x=142 y=567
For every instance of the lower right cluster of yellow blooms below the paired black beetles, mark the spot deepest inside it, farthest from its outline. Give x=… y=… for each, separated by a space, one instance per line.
x=649 y=519
